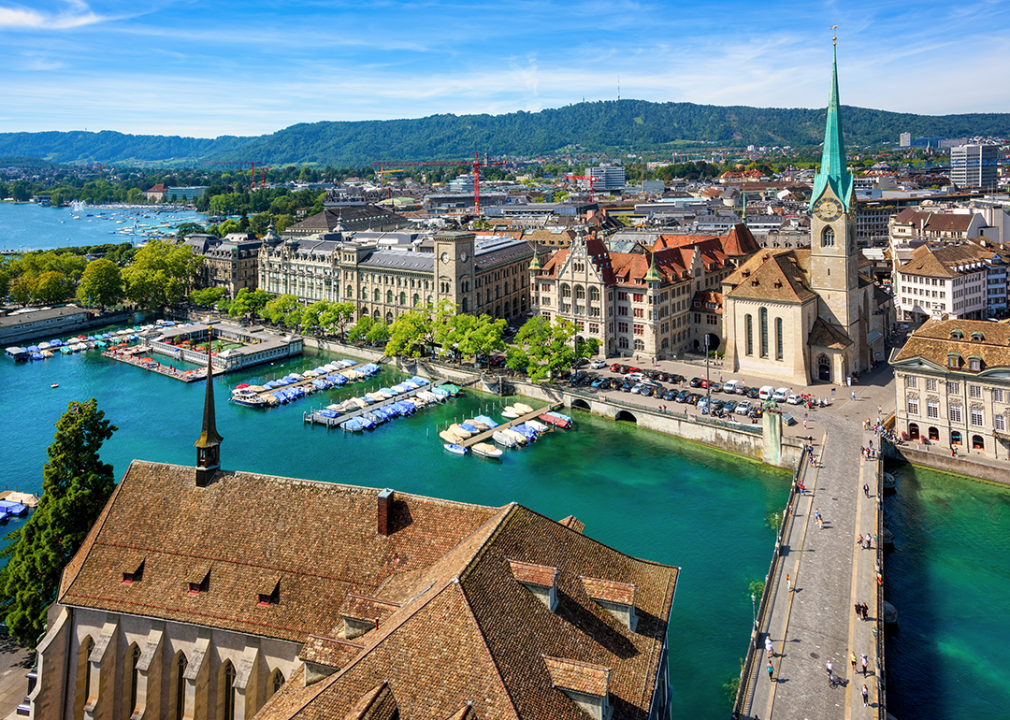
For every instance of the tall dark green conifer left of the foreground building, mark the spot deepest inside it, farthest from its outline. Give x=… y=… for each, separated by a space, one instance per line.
x=76 y=486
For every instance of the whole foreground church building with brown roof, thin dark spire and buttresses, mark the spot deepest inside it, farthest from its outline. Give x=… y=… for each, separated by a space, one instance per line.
x=220 y=595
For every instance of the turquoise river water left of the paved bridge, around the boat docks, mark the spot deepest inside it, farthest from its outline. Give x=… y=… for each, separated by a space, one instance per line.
x=644 y=493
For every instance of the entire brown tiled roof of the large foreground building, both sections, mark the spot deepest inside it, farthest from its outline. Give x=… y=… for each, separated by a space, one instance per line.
x=456 y=628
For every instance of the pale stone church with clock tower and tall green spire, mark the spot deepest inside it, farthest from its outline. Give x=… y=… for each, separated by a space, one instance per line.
x=811 y=315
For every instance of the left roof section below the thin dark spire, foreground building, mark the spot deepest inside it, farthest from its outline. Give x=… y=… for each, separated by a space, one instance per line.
x=224 y=529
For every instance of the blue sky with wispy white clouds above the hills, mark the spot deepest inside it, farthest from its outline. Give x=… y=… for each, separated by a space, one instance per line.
x=252 y=67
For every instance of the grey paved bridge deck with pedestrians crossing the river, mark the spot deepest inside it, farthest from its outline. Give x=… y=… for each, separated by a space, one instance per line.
x=812 y=621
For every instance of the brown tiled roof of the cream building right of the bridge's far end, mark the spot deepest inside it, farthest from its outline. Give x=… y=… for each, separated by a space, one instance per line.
x=933 y=343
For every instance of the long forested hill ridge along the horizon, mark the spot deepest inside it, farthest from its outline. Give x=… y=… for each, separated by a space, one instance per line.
x=597 y=128
